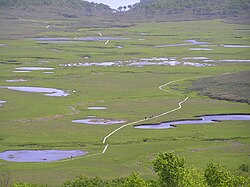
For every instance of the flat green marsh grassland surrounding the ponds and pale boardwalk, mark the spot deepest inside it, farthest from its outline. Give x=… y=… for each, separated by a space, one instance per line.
x=34 y=121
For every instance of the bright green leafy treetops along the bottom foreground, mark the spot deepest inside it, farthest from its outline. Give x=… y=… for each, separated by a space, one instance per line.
x=172 y=172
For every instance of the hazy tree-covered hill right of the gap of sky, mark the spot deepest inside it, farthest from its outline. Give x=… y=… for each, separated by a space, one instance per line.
x=197 y=7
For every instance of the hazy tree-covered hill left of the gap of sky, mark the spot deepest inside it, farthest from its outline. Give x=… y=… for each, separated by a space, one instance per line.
x=52 y=8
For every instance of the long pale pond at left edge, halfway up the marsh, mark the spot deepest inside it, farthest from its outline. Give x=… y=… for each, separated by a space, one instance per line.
x=48 y=91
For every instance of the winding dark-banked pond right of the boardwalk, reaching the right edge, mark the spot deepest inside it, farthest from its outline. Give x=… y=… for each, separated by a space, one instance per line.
x=202 y=120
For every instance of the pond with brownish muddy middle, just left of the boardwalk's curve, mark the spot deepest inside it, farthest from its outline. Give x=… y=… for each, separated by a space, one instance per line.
x=98 y=121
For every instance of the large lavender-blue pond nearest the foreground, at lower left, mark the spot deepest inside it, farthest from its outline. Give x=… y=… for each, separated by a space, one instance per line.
x=39 y=155
